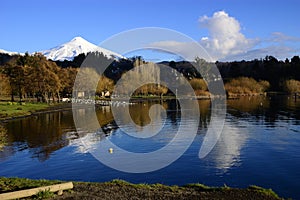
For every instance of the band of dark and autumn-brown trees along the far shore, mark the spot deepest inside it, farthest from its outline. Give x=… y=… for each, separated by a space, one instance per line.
x=34 y=77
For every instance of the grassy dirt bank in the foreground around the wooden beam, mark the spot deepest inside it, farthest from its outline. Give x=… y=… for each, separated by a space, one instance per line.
x=119 y=189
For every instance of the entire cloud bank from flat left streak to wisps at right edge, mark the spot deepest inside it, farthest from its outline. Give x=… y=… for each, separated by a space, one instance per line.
x=226 y=42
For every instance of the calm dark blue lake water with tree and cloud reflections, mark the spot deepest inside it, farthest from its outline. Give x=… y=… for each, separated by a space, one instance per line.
x=259 y=145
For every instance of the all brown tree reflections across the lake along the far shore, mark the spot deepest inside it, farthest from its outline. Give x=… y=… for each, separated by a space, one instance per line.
x=45 y=133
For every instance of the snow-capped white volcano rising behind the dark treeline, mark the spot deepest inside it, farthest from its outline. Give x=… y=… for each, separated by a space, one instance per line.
x=76 y=46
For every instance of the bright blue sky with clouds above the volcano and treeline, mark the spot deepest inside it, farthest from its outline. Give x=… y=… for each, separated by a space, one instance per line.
x=263 y=27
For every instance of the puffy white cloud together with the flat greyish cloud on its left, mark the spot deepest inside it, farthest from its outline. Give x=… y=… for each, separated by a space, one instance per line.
x=225 y=39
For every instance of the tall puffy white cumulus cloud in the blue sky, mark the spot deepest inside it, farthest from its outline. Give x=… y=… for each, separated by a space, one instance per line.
x=225 y=37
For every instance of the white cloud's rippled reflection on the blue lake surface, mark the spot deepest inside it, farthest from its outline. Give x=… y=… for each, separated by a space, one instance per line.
x=226 y=154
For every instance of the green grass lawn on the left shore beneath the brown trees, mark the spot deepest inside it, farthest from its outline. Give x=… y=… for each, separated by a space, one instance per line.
x=13 y=109
